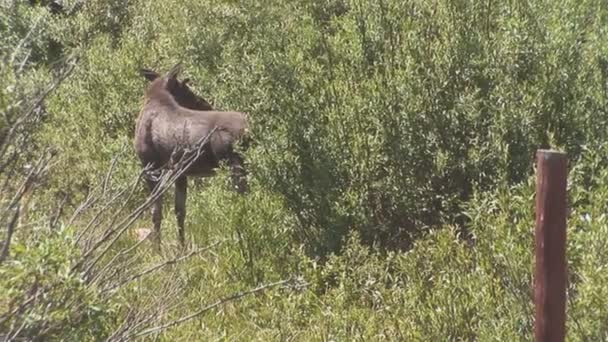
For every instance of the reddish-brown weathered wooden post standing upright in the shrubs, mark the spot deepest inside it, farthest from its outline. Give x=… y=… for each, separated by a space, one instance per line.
x=550 y=273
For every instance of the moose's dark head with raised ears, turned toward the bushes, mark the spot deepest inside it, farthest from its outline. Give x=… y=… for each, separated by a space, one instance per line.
x=182 y=94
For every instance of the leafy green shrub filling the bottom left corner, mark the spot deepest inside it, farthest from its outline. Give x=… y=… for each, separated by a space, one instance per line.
x=41 y=298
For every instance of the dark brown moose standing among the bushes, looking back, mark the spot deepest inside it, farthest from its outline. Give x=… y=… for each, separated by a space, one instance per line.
x=172 y=119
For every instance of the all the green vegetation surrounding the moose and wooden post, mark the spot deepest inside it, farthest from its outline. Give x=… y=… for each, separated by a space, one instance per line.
x=391 y=174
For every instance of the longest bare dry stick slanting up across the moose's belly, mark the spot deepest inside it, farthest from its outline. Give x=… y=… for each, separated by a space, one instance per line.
x=126 y=223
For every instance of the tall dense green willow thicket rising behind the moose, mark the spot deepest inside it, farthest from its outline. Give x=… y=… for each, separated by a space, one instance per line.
x=379 y=117
